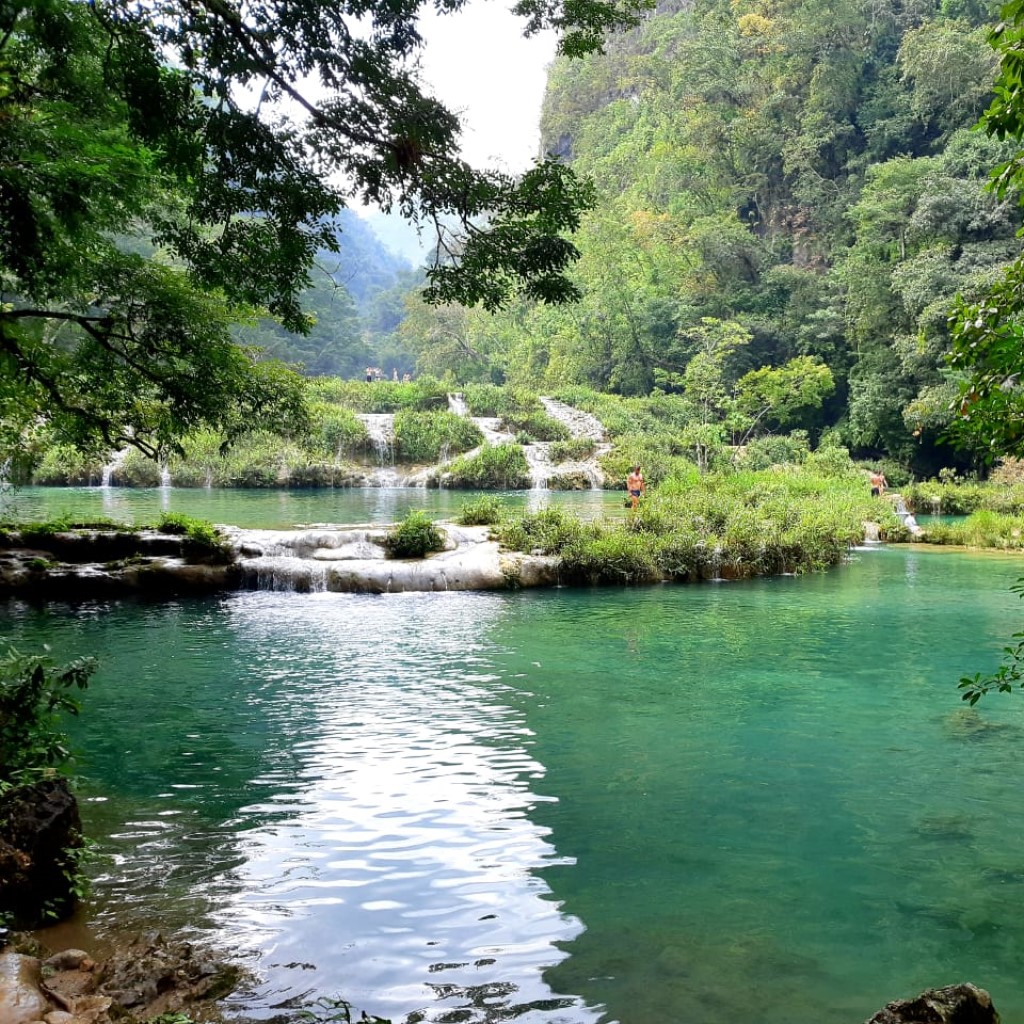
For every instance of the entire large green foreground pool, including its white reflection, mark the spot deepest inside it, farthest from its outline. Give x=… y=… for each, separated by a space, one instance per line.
x=743 y=802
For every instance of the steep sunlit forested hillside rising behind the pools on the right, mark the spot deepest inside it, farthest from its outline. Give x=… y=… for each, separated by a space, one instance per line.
x=792 y=186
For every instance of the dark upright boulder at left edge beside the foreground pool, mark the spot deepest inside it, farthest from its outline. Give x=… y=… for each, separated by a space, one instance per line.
x=39 y=825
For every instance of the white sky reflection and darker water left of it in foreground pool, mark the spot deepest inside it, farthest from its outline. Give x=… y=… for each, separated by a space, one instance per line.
x=336 y=783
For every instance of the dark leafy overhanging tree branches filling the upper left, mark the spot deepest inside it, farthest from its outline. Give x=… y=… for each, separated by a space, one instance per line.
x=166 y=167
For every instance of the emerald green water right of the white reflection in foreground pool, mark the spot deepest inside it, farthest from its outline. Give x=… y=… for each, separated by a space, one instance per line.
x=772 y=805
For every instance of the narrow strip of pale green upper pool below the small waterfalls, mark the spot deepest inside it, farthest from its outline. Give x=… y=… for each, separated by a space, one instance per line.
x=280 y=509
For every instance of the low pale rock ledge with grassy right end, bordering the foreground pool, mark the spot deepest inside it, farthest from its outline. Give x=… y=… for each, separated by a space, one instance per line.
x=542 y=549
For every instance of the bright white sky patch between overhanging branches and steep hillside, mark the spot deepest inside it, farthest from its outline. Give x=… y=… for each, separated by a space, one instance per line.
x=483 y=69
